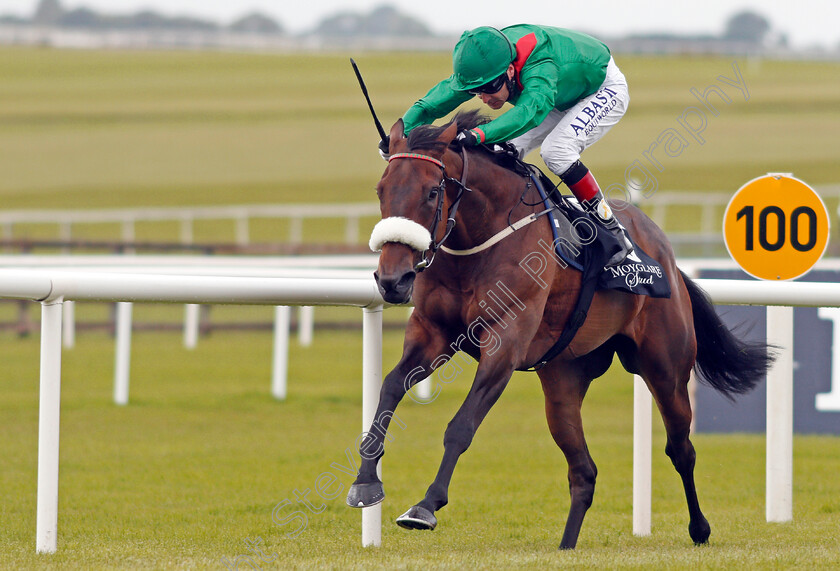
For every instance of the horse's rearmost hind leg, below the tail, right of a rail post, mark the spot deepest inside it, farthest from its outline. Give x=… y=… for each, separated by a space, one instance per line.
x=668 y=382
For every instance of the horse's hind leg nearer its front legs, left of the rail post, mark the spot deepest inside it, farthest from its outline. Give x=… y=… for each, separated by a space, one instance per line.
x=563 y=398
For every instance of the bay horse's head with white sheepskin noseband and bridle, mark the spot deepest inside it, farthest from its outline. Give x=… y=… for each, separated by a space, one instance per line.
x=411 y=199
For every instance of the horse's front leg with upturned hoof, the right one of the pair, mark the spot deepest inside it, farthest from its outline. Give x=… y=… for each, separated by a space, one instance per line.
x=490 y=381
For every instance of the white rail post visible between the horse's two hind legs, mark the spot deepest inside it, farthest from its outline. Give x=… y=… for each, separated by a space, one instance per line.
x=642 y=443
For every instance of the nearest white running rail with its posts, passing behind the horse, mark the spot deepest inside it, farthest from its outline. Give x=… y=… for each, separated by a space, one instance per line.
x=55 y=287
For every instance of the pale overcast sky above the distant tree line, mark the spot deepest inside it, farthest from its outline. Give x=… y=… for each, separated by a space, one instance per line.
x=806 y=22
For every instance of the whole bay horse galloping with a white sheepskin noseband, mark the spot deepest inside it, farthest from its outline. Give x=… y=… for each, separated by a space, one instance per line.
x=660 y=339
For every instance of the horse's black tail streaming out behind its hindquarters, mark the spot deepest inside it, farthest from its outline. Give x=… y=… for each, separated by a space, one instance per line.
x=726 y=363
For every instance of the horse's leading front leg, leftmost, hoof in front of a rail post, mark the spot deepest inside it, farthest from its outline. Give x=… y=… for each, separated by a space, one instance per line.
x=424 y=348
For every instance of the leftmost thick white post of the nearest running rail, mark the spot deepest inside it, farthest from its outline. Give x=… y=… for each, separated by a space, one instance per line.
x=46 y=533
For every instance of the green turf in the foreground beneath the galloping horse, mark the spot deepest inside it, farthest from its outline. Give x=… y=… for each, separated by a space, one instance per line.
x=196 y=463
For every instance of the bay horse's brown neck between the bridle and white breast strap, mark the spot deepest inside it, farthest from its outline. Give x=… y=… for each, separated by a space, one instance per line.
x=494 y=193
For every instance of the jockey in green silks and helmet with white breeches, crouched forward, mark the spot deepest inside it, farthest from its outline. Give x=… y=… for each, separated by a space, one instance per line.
x=566 y=92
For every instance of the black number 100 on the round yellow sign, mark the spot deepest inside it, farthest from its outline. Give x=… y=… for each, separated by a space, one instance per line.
x=775 y=215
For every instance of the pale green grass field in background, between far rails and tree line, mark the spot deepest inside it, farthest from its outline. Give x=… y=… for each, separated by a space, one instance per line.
x=88 y=129
